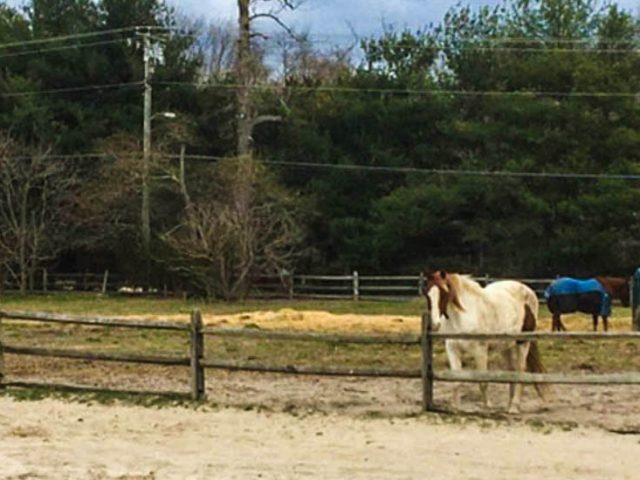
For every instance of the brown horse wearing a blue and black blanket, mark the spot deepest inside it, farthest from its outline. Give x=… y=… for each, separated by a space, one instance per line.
x=594 y=296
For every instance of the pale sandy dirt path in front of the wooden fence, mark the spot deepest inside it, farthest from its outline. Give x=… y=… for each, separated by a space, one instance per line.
x=54 y=440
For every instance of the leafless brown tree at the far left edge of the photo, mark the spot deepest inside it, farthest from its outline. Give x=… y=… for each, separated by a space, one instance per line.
x=35 y=199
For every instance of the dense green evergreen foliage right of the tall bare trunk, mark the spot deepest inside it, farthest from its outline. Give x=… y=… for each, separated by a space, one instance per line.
x=506 y=226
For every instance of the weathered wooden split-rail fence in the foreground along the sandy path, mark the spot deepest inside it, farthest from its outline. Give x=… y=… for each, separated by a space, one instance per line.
x=198 y=362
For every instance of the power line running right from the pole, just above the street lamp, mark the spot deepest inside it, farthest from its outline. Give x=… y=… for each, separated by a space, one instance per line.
x=403 y=91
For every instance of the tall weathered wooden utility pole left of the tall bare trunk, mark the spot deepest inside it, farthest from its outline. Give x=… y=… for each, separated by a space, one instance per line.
x=146 y=146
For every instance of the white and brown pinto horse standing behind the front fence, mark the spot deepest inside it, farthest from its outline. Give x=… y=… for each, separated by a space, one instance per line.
x=458 y=304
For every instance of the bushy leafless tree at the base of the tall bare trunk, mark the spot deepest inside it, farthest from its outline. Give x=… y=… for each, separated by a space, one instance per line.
x=247 y=225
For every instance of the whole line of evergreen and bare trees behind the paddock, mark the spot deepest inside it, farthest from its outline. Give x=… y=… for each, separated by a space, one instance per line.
x=500 y=140
